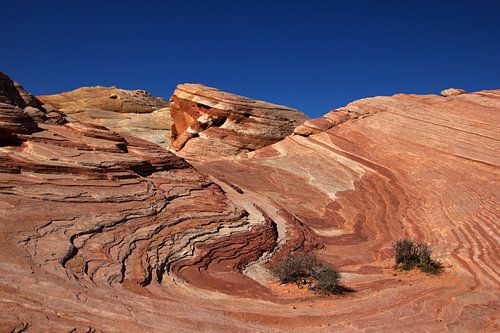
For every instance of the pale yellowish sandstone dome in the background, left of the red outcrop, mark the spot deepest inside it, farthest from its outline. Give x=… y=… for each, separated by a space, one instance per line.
x=132 y=112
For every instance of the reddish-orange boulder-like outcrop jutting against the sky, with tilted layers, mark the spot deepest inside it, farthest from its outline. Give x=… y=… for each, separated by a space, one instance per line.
x=210 y=123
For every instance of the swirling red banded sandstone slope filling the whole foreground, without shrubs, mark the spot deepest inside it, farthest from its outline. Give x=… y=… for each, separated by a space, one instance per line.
x=107 y=232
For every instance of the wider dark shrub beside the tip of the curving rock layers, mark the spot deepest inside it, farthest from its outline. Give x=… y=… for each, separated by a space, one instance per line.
x=305 y=269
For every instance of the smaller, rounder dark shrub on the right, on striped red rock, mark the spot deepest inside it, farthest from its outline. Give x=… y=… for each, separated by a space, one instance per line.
x=409 y=254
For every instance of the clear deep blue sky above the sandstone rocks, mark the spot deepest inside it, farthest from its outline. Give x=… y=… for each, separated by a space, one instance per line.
x=311 y=55
